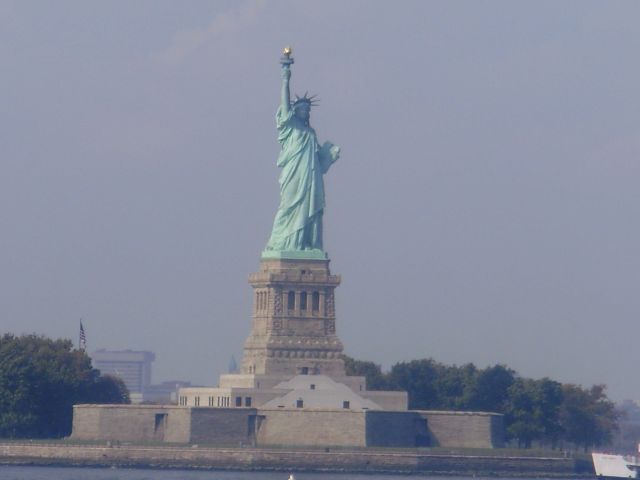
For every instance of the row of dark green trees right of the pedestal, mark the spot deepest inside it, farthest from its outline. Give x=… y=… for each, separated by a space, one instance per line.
x=541 y=411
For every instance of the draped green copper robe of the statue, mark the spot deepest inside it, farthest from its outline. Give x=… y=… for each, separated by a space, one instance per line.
x=298 y=222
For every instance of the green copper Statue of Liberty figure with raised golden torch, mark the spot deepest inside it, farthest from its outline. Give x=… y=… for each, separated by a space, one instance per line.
x=297 y=228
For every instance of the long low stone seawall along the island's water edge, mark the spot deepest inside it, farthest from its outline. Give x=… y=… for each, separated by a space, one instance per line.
x=357 y=461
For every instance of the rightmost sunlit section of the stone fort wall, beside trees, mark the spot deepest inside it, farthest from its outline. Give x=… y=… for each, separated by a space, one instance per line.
x=464 y=429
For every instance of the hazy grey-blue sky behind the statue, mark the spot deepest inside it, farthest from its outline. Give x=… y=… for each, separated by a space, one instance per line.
x=486 y=207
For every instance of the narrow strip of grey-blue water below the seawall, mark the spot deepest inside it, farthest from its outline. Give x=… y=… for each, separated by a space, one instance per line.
x=71 y=473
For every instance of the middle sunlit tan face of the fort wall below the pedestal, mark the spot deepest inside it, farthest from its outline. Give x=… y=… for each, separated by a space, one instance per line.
x=311 y=427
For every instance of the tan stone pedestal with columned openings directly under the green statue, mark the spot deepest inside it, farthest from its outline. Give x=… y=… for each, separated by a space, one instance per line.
x=294 y=324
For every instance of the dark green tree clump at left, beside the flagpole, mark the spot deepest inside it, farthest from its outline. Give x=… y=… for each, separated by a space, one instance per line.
x=40 y=381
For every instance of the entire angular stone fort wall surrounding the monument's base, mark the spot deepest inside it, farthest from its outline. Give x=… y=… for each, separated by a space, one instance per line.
x=287 y=426
